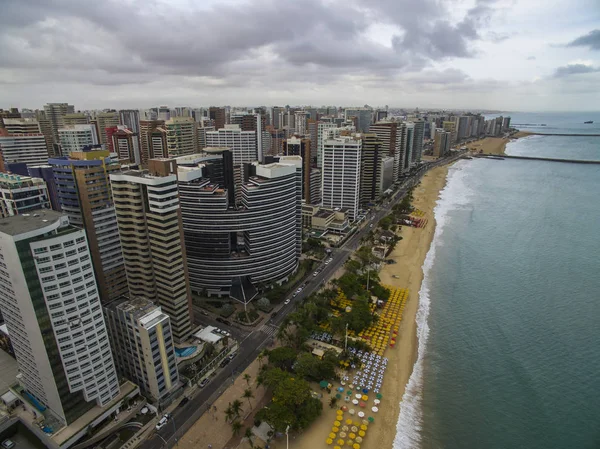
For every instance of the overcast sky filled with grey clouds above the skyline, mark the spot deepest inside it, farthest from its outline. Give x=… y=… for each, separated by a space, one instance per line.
x=523 y=55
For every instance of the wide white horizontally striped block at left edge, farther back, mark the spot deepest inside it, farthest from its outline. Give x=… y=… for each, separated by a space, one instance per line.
x=26 y=148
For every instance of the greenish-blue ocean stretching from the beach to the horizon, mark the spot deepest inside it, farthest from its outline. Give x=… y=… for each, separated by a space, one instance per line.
x=509 y=313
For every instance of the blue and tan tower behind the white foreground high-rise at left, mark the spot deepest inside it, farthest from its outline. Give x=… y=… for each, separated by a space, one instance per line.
x=83 y=187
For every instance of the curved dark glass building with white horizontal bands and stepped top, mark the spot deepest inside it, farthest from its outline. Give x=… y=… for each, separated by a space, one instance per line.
x=233 y=248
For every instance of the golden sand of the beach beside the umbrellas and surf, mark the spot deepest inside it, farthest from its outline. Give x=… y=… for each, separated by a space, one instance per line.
x=409 y=255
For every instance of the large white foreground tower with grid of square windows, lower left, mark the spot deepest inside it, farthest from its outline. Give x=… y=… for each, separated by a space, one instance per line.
x=50 y=304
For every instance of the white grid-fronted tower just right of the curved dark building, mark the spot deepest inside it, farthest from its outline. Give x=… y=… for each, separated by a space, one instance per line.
x=341 y=174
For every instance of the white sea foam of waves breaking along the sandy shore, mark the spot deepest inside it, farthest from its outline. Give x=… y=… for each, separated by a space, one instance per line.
x=455 y=195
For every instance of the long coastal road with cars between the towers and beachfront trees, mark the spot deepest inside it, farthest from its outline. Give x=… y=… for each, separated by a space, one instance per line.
x=254 y=342
